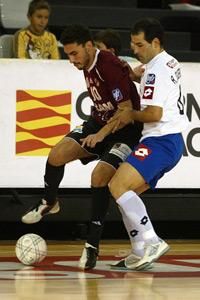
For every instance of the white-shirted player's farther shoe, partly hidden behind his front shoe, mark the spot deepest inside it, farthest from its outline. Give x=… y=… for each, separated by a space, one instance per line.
x=128 y=262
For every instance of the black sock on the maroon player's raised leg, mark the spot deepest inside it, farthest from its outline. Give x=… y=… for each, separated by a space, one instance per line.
x=52 y=178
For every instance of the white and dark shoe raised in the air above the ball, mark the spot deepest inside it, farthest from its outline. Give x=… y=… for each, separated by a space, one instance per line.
x=37 y=212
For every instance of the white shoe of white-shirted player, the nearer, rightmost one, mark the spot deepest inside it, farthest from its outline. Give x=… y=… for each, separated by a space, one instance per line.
x=152 y=253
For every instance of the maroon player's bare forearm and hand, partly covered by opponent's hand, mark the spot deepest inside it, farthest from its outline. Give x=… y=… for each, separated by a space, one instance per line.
x=92 y=139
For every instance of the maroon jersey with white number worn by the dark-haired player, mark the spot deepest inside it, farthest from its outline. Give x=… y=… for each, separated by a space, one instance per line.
x=109 y=84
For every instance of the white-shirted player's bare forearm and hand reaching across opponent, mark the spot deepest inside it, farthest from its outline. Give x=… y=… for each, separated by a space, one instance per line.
x=150 y=114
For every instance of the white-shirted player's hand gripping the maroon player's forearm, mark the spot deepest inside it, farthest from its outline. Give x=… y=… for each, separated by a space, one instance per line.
x=123 y=117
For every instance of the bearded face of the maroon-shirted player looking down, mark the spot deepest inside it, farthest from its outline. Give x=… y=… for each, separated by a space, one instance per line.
x=78 y=55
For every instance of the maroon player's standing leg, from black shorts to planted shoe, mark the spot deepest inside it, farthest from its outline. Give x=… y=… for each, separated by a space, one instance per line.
x=116 y=147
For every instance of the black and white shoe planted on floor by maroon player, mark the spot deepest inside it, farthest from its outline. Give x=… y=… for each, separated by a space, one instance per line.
x=89 y=257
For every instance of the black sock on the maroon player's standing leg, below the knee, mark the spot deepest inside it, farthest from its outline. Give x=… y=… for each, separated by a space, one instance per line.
x=100 y=204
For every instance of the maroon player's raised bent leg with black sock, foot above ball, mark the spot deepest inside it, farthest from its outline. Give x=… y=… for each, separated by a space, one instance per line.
x=67 y=150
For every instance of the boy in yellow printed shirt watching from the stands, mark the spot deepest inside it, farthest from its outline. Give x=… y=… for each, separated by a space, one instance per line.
x=35 y=42
